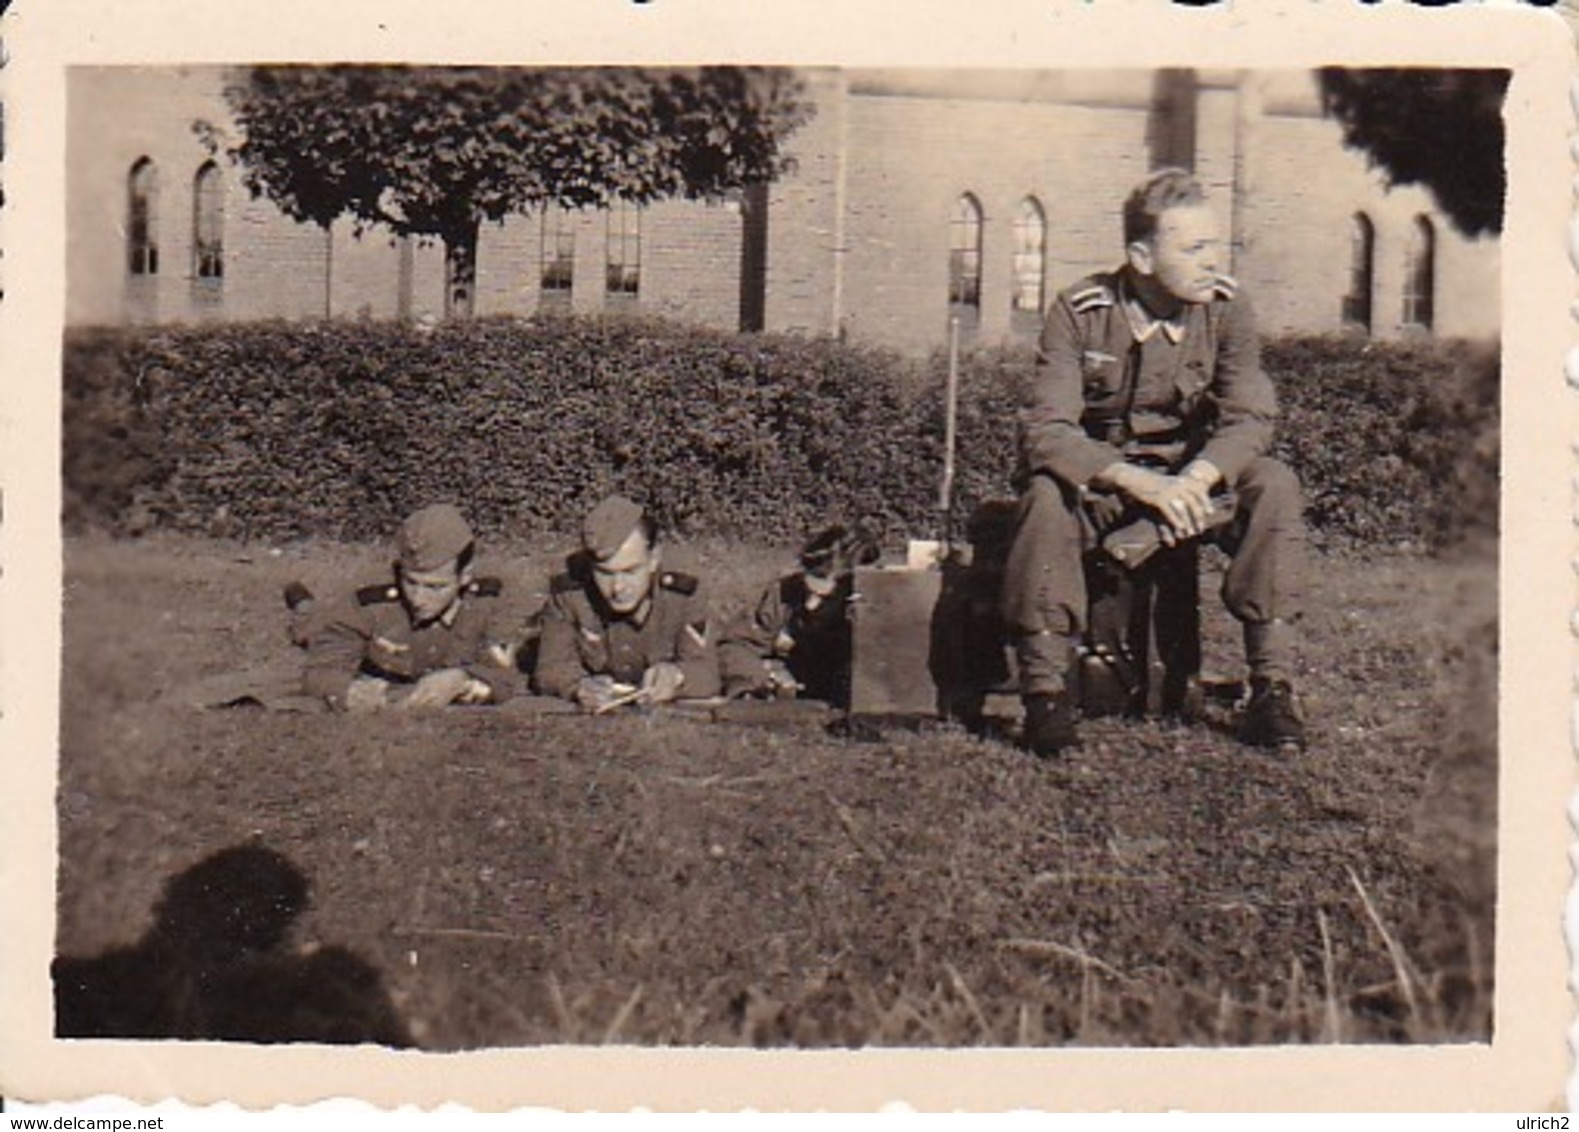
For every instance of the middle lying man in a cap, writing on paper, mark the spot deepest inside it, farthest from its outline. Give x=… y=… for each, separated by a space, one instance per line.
x=618 y=628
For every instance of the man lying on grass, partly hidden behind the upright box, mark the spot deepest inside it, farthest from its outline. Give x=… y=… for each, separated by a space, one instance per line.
x=797 y=640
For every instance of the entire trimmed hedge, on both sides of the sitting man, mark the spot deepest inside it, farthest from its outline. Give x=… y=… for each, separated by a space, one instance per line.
x=288 y=430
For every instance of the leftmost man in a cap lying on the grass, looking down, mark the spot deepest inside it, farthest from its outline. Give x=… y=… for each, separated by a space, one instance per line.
x=432 y=635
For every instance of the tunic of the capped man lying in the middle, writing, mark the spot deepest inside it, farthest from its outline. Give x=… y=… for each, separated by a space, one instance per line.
x=582 y=637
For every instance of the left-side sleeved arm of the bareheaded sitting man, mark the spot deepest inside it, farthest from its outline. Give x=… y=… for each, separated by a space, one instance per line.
x=1052 y=438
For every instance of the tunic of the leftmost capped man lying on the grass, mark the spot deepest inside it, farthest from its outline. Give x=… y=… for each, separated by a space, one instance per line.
x=372 y=634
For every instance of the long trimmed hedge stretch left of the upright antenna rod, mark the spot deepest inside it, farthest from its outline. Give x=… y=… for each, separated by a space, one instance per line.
x=280 y=430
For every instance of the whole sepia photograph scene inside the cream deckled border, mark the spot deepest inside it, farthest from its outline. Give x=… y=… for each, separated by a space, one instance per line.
x=771 y=557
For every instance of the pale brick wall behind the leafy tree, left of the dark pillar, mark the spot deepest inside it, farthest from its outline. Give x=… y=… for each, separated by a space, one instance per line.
x=276 y=268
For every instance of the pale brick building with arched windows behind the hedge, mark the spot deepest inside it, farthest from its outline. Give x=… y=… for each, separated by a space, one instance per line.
x=917 y=197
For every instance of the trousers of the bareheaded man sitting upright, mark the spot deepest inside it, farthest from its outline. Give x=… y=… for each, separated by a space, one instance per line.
x=1045 y=594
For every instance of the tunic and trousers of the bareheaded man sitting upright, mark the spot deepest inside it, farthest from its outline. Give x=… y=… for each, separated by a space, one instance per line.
x=1116 y=384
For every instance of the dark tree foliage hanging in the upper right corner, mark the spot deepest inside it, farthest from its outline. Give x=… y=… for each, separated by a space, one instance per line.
x=1435 y=127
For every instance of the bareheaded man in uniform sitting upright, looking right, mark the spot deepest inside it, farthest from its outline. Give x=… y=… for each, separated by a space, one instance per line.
x=1149 y=399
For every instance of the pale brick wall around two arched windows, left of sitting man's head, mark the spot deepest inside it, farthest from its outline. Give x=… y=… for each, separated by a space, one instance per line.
x=912 y=160
